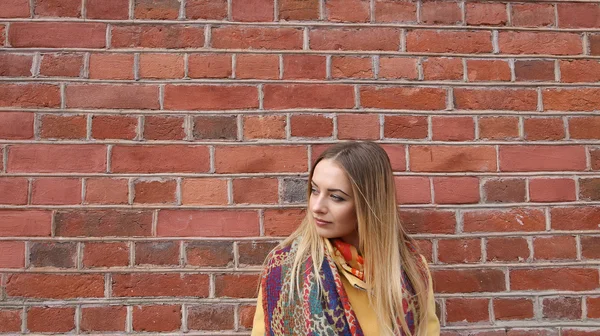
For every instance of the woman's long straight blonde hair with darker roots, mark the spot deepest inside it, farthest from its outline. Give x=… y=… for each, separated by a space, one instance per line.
x=382 y=239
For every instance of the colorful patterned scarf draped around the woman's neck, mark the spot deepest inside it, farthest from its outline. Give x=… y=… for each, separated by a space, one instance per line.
x=312 y=314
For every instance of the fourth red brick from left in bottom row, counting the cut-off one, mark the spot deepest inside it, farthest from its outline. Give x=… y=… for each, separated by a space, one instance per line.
x=157 y=318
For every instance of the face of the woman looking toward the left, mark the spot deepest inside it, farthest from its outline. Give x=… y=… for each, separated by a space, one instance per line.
x=332 y=203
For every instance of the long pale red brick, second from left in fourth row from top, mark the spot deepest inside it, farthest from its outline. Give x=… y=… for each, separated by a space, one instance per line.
x=112 y=96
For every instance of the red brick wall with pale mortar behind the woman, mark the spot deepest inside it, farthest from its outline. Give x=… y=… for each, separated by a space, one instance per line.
x=153 y=151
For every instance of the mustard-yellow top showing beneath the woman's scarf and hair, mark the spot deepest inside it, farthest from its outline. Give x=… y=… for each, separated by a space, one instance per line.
x=363 y=310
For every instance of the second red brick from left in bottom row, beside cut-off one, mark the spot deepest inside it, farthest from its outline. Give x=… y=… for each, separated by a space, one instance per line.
x=51 y=319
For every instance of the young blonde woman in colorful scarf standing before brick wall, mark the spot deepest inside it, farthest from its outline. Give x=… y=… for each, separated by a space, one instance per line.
x=350 y=268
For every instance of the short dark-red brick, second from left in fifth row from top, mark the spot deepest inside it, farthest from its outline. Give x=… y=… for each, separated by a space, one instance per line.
x=55 y=126
